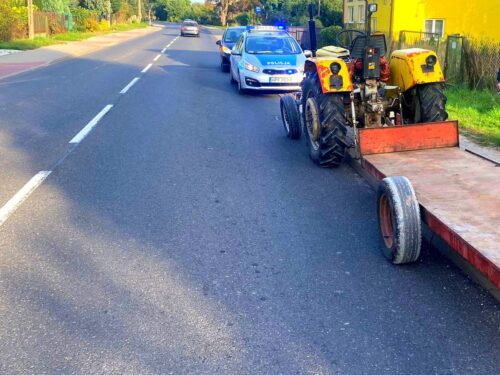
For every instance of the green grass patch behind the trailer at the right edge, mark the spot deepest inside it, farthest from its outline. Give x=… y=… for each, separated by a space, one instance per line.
x=477 y=112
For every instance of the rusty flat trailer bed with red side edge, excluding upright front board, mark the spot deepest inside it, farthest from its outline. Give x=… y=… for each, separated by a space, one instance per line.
x=459 y=196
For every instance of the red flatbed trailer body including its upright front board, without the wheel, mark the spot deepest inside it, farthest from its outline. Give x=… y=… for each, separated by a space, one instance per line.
x=458 y=192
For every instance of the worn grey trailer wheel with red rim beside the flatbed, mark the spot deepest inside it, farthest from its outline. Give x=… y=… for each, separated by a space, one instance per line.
x=399 y=220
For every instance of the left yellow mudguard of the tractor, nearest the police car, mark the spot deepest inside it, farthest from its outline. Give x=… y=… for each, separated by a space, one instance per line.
x=331 y=82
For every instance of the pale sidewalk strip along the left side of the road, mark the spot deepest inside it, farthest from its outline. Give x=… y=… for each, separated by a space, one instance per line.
x=68 y=56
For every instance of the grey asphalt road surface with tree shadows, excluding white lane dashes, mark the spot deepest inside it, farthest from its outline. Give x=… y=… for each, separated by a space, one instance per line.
x=186 y=235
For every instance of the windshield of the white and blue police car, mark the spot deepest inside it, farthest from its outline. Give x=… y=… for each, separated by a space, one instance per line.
x=272 y=45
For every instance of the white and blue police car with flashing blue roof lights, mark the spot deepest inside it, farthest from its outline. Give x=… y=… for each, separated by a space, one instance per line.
x=266 y=58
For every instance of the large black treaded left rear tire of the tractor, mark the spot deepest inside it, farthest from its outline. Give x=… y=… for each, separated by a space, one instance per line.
x=330 y=149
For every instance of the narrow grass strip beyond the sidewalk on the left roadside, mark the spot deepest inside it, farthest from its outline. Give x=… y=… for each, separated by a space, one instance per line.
x=26 y=44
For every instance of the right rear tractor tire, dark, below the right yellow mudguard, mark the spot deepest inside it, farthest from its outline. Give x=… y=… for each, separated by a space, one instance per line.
x=432 y=102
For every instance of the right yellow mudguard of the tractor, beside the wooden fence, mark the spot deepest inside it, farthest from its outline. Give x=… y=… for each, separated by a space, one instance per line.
x=415 y=66
